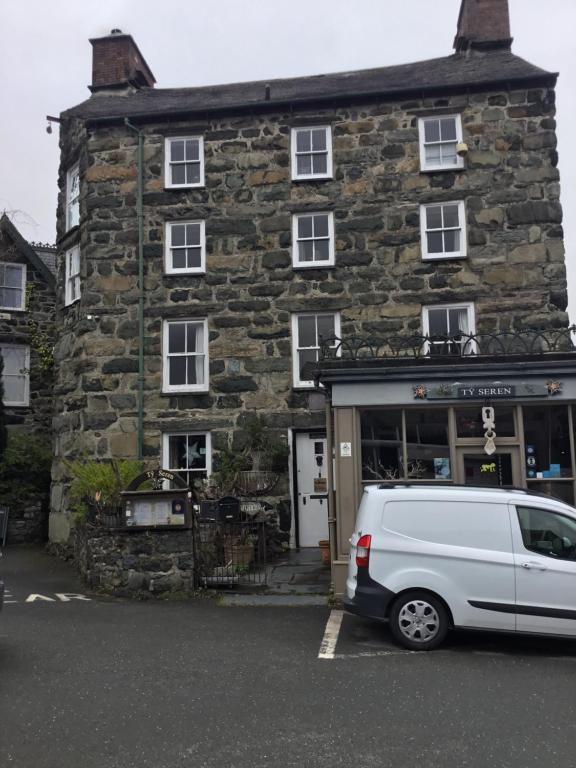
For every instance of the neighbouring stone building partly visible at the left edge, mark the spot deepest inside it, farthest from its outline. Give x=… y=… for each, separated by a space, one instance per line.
x=27 y=309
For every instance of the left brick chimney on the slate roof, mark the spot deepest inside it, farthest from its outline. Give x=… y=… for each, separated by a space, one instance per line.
x=117 y=63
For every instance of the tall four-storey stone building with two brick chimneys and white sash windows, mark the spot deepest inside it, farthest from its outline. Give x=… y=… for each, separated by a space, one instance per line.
x=211 y=237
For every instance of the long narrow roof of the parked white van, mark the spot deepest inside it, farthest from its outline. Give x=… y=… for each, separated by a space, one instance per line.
x=421 y=490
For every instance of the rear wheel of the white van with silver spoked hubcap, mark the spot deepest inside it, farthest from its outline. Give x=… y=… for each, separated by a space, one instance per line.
x=418 y=621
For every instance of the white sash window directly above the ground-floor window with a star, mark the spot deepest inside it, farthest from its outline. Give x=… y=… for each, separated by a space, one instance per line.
x=185 y=356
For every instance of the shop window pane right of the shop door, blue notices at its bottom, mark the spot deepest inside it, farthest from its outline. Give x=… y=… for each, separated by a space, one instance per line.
x=547 y=442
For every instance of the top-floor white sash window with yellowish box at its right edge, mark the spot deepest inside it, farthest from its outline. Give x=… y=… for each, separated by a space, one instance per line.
x=439 y=137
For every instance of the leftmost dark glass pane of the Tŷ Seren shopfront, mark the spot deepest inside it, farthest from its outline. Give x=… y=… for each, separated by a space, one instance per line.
x=381 y=435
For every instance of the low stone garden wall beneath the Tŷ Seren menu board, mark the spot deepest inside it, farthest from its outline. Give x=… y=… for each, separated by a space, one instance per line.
x=135 y=562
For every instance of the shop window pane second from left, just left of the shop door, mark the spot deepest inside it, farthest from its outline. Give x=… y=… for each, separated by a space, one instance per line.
x=427 y=445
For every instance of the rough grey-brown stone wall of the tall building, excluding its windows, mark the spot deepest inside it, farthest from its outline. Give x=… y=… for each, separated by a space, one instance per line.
x=514 y=272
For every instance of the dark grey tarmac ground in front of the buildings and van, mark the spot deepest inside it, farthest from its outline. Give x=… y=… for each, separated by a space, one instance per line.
x=113 y=683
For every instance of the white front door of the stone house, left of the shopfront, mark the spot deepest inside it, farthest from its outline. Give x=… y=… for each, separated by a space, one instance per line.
x=312 y=484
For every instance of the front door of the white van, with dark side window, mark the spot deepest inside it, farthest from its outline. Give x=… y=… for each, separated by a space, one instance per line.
x=545 y=555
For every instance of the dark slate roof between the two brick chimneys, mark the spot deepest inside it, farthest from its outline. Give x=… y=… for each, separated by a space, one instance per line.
x=457 y=71
